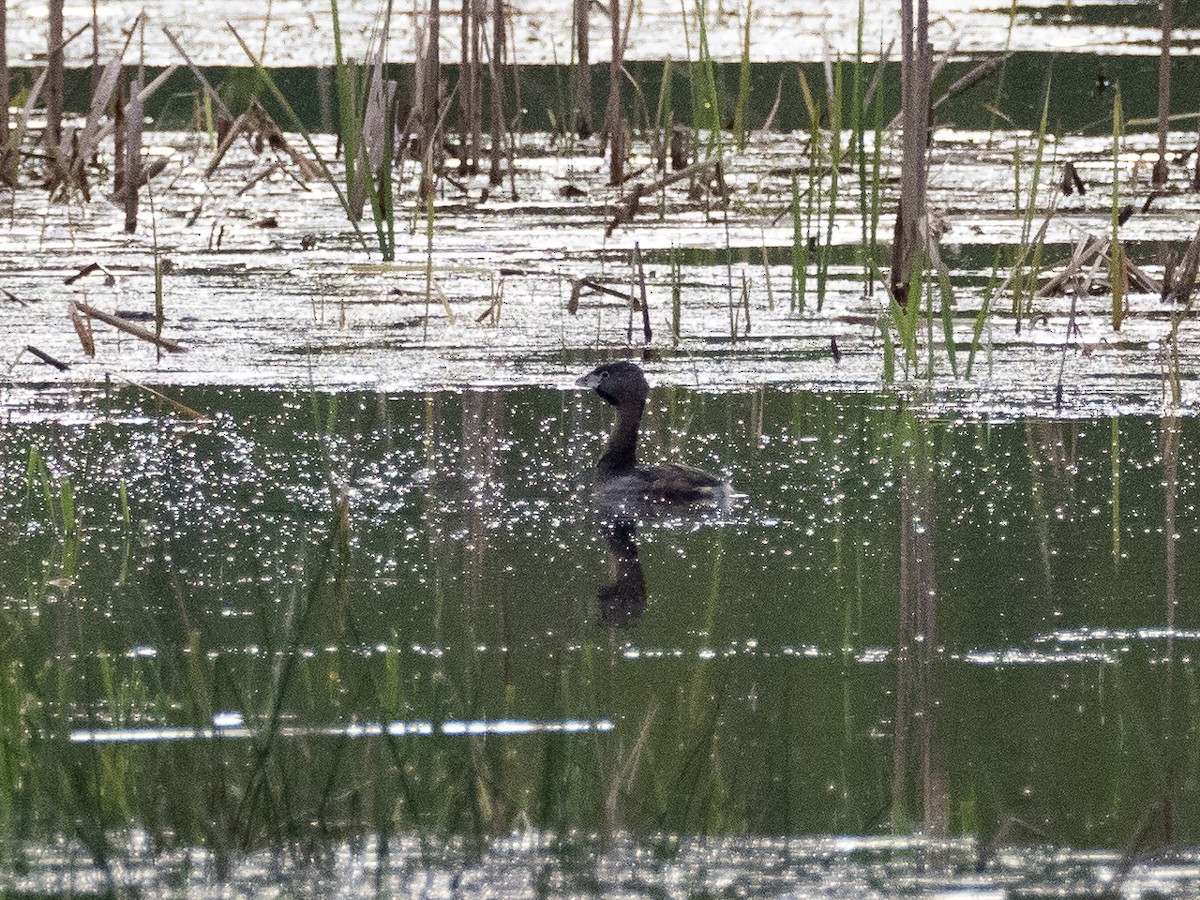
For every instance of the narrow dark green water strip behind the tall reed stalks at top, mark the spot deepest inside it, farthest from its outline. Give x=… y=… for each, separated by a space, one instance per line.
x=1081 y=86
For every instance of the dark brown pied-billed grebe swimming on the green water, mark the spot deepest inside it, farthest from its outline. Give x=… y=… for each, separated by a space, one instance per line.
x=619 y=476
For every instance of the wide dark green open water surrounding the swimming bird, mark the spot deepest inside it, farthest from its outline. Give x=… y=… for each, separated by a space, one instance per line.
x=907 y=623
